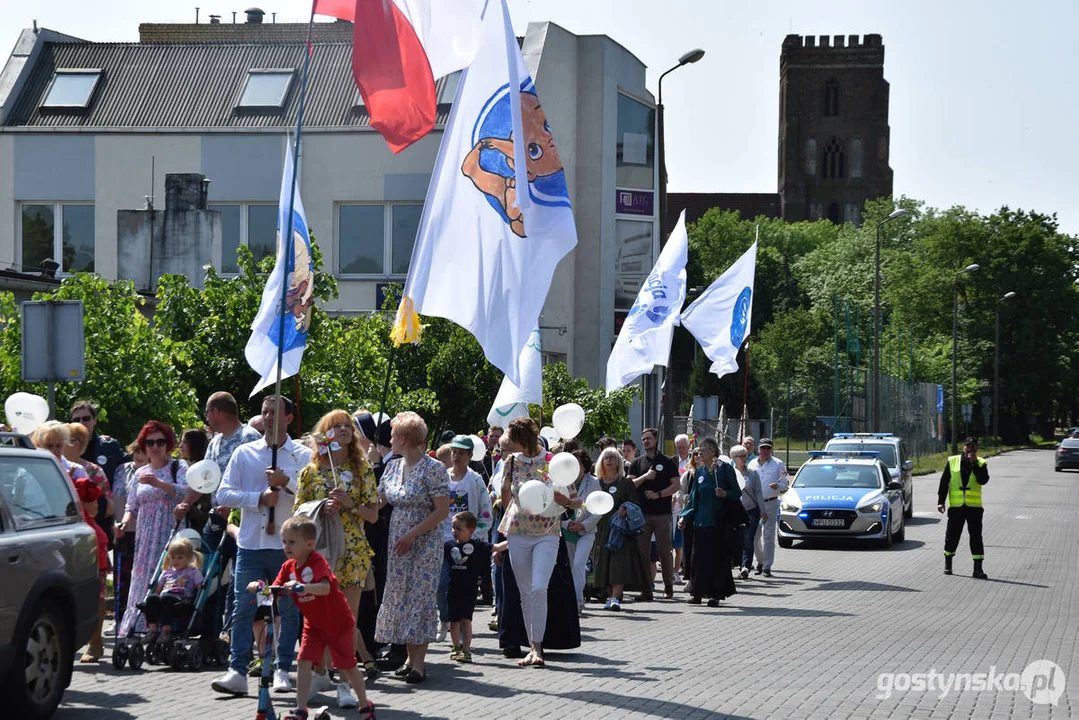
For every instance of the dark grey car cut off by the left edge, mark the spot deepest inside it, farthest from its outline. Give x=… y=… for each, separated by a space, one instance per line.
x=51 y=585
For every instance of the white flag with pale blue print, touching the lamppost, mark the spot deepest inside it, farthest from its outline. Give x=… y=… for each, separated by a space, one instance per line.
x=645 y=341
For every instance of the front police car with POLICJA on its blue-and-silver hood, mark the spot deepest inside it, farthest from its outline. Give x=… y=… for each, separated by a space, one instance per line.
x=843 y=495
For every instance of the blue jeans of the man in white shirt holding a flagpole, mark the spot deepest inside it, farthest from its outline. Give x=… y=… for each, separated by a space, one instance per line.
x=253 y=566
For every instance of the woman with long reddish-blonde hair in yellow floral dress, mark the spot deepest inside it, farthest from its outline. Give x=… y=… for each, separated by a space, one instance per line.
x=340 y=472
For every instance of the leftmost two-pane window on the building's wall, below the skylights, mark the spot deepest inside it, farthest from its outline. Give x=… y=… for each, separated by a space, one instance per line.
x=62 y=233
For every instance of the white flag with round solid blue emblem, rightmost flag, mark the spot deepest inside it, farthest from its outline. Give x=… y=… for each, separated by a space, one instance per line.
x=721 y=318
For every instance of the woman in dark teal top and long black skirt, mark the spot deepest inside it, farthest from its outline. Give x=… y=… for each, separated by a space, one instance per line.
x=714 y=485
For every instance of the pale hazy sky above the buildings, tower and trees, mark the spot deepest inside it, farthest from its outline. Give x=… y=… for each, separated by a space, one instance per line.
x=984 y=103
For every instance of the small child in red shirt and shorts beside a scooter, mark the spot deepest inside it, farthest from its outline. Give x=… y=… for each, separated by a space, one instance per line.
x=327 y=619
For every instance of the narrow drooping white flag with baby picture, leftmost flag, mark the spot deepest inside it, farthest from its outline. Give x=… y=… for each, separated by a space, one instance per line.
x=294 y=271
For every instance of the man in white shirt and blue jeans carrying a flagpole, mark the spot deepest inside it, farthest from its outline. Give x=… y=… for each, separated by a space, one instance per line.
x=253 y=485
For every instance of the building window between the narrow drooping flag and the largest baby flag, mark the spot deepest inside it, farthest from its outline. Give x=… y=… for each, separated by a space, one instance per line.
x=374 y=238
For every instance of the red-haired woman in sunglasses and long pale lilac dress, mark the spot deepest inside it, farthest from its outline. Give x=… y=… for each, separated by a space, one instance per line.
x=159 y=487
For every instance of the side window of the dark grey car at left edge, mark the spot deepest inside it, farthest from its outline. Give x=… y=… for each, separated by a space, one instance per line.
x=36 y=492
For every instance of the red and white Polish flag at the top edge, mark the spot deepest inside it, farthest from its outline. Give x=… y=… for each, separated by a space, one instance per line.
x=400 y=48
